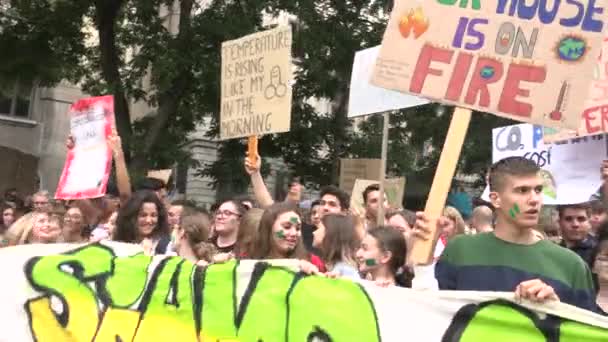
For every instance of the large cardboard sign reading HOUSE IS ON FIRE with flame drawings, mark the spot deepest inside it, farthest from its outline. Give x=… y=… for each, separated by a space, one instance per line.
x=524 y=60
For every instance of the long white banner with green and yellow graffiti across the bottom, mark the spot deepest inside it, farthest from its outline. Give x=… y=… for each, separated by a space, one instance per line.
x=112 y=293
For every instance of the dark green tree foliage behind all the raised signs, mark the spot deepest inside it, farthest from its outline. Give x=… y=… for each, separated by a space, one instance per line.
x=137 y=58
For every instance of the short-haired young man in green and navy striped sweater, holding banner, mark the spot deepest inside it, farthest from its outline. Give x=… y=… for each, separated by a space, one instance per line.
x=512 y=258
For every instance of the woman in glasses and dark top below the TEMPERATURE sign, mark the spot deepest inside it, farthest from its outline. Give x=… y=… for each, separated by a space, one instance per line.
x=226 y=225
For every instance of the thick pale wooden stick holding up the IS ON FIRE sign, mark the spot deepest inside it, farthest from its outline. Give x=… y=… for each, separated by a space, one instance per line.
x=422 y=251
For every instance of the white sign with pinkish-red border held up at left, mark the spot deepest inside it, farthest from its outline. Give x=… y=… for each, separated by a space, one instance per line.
x=88 y=164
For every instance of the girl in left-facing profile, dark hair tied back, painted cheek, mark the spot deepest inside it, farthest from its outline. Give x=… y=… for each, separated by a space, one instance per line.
x=381 y=255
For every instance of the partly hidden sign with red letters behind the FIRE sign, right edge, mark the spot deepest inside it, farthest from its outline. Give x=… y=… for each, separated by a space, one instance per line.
x=594 y=118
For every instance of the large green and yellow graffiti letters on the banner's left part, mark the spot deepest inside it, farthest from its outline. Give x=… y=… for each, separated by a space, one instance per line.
x=138 y=298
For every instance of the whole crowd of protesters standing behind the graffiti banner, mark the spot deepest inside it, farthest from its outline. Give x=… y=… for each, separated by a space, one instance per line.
x=500 y=246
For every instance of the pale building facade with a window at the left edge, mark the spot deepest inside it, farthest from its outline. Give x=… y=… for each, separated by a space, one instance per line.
x=34 y=126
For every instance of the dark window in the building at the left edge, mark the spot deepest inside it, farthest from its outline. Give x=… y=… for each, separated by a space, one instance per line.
x=15 y=98
